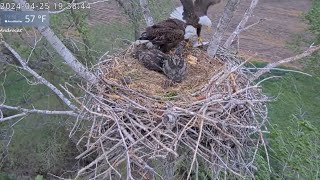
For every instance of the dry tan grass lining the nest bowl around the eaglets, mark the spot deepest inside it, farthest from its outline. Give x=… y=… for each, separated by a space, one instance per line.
x=153 y=83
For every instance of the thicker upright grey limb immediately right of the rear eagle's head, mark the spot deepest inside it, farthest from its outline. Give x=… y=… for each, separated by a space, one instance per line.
x=222 y=26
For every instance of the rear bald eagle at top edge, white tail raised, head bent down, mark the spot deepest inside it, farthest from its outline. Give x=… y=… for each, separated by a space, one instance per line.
x=194 y=14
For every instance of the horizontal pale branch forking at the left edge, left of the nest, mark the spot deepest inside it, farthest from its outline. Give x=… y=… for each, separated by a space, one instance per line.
x=33 y=111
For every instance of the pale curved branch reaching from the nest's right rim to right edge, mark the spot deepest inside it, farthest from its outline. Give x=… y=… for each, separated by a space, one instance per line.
x=266 y=69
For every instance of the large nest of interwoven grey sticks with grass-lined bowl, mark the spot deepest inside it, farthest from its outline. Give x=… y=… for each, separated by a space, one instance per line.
x=210 y=123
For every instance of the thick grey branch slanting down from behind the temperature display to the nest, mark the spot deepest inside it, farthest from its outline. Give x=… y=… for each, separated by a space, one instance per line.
x=63 y=51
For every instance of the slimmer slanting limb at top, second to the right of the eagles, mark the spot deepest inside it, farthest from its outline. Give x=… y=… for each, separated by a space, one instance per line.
x=242 y=24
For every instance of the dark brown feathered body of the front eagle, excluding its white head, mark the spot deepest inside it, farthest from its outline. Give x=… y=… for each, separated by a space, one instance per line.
x=166 y=34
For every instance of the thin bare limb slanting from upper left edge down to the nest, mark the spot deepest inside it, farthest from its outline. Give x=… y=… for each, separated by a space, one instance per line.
x=40 y=78
